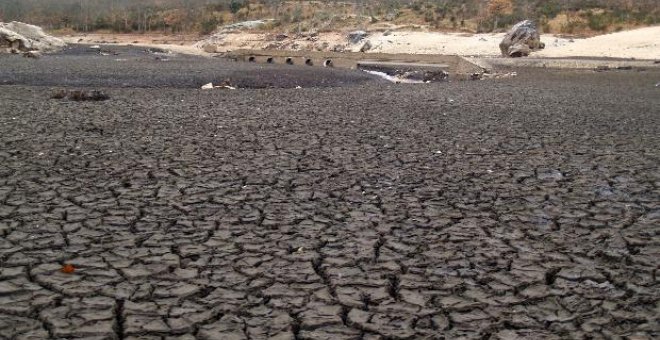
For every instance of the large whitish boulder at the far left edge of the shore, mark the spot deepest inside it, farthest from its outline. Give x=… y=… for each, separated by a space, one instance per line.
x=20 y=37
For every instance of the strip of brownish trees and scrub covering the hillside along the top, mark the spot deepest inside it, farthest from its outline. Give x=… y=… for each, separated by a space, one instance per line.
x=204 y=16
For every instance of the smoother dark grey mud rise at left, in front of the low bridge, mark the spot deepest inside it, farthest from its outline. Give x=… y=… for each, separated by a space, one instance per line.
x=130 y=67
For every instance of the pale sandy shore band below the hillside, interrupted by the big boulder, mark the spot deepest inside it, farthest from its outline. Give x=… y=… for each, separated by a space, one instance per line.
x=643 y=43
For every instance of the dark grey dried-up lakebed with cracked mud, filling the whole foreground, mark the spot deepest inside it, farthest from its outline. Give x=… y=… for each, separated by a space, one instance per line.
x=522 y=208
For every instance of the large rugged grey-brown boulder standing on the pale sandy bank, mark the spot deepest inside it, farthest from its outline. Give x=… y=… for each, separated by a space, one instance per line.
x=521 y=40
